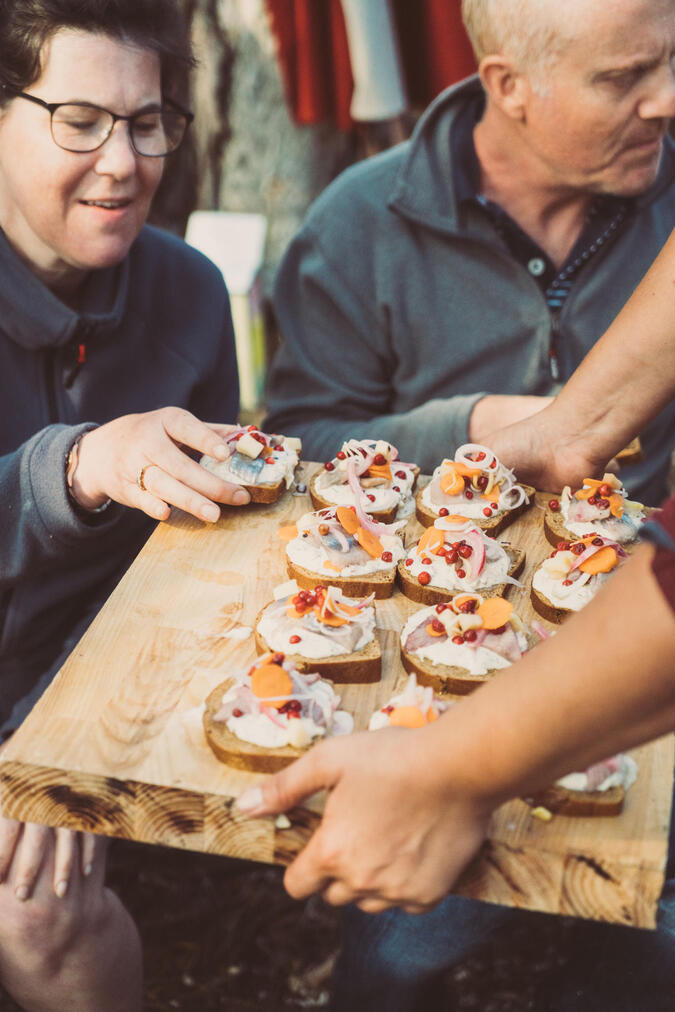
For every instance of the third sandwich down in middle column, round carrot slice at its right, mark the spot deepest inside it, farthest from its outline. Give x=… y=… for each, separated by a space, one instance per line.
x=458 y=646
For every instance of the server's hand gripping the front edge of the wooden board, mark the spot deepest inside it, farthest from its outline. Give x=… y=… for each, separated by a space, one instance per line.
x=392 y=833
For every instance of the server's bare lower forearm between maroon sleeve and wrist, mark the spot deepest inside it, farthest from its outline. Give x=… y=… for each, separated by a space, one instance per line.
x=606 y=683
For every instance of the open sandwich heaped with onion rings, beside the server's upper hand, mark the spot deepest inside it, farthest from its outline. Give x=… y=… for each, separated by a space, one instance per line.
x=475 y=485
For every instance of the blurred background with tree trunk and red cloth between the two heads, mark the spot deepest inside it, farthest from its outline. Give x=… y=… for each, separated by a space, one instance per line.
x=287 y=95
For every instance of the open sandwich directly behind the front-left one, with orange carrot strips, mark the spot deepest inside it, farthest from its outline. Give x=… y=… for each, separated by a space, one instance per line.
x=321 y=630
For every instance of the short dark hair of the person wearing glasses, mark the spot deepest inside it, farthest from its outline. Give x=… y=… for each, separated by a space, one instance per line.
x=157 y=26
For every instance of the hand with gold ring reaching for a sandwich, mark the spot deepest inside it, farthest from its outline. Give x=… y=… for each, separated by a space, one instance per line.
x=113 y=457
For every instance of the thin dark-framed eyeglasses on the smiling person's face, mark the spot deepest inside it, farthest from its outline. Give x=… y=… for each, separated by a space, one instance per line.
x=81 y=128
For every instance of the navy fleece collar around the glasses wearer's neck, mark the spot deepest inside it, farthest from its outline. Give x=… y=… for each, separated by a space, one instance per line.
x=32 y=316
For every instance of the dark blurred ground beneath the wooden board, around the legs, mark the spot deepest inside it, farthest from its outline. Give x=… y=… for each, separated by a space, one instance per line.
x=221 y=935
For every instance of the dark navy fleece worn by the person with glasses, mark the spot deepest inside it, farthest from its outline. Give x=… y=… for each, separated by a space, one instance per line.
x=154 y=331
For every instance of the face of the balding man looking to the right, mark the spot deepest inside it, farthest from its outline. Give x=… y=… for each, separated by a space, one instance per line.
x=601 y=114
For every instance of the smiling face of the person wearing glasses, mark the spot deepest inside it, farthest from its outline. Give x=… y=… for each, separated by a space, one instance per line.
x=50 y=199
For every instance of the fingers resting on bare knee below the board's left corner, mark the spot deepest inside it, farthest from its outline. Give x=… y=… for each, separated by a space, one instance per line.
x=24 y=848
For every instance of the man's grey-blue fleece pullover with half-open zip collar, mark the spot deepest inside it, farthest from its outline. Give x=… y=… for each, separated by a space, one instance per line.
x=399 y=309
